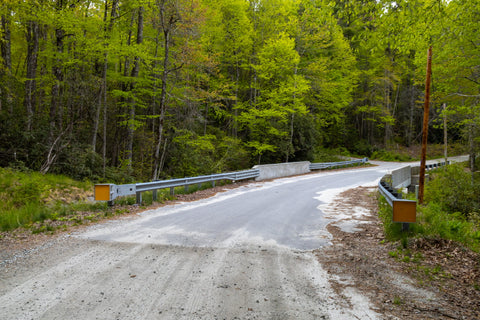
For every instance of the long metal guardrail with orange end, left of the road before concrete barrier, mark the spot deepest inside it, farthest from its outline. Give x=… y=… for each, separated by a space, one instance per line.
x=109 y=192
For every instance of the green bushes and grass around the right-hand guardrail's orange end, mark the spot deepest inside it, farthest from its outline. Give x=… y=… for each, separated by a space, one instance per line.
x=451 y=210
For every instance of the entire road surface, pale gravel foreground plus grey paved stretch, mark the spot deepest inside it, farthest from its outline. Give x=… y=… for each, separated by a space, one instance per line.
x=243 y=254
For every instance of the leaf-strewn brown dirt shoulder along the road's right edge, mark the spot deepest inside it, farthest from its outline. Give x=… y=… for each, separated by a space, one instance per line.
x=433 y=279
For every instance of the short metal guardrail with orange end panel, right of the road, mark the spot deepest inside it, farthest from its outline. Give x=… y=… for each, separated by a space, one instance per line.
x=404 y=211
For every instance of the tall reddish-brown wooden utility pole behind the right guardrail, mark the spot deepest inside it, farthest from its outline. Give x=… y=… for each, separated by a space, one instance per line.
x=426 y=108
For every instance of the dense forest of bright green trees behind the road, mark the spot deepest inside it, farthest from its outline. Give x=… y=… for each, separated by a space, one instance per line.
x=121 y=90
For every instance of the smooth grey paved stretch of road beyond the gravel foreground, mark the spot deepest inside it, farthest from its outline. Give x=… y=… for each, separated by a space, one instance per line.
x=280 y=213
